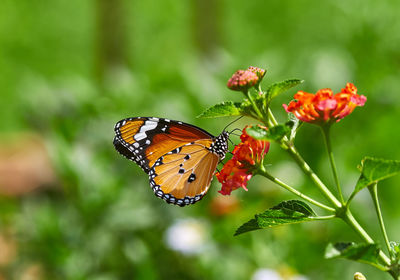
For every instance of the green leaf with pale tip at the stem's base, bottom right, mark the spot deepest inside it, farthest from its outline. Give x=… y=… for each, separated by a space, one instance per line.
x=362 y=252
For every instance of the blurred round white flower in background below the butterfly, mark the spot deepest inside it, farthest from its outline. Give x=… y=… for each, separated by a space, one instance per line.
x=188 y=236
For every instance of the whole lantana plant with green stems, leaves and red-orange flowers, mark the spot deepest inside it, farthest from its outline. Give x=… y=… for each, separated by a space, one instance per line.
x=322 y=109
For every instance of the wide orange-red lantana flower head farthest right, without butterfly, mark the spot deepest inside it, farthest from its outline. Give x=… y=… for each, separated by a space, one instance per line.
x=324 y=106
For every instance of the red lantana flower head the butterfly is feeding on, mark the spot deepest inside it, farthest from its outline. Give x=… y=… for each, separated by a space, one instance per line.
x=238 y=170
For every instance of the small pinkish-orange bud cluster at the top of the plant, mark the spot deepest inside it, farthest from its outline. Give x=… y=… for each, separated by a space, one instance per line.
x=242 y=80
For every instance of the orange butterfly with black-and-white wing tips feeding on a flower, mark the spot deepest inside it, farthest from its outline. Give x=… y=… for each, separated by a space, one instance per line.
x=179 y=158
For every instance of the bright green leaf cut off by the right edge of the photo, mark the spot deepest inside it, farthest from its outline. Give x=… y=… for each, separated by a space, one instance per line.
x=374 y=170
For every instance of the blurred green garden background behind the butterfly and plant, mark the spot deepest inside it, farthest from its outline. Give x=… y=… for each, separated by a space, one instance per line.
x=72 y=208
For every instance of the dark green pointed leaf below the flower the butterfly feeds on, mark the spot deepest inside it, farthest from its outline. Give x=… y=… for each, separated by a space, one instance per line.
x=286 y=212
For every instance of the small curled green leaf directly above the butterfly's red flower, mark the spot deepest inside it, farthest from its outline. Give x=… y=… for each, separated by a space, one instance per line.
x=275 y=133
